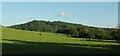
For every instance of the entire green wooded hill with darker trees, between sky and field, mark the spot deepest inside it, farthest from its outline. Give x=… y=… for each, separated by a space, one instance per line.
x=75 y=30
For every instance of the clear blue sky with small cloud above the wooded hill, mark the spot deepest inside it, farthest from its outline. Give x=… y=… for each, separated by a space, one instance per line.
x=99 y=14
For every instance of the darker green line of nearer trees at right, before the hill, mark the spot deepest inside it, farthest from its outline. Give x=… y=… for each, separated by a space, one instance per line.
x=85 y=32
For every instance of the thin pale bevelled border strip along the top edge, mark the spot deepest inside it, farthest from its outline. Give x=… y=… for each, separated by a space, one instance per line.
x=60 y=0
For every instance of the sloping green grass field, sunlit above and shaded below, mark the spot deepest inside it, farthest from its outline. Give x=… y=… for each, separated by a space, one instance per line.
x=30 y=42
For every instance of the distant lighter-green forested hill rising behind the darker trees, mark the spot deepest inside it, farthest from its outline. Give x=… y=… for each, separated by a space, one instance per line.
x=47 y=26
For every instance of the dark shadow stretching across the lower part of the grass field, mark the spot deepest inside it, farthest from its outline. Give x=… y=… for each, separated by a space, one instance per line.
x=25 y=47
